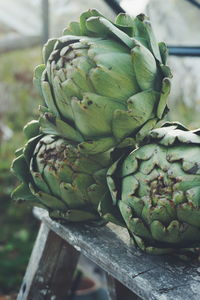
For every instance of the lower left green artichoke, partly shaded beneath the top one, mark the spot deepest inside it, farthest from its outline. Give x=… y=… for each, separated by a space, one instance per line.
x=56 y=176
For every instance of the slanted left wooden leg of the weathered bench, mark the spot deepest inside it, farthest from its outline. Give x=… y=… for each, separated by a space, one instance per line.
x=50 y=269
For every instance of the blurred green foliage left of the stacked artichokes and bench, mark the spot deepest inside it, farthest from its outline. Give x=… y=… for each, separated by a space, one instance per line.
x=19 y=104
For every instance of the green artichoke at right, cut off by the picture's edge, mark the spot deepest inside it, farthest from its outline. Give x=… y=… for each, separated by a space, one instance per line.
x=157 y=189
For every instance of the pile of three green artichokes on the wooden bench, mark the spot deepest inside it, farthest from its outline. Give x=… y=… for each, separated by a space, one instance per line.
x=96 y=153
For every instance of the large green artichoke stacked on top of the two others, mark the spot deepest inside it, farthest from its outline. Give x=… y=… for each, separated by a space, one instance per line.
x=105 y=84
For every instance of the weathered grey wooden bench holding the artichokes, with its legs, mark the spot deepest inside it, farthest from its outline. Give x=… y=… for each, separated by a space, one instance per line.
x=57 y=248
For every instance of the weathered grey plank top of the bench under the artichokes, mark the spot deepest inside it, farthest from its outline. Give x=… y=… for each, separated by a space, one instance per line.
x=149 y=277
